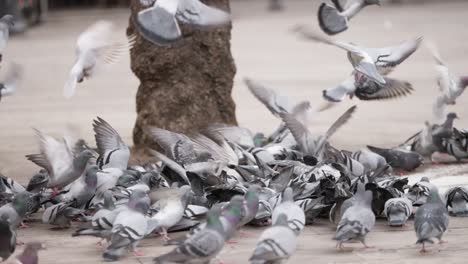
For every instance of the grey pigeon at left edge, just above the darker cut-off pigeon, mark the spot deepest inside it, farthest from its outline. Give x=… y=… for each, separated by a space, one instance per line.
x=16 y=210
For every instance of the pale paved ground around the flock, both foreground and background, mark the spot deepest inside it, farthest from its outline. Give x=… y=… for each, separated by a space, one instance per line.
x=264 y=49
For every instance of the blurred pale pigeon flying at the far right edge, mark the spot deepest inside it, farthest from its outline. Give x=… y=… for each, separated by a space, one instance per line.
x=451 y=86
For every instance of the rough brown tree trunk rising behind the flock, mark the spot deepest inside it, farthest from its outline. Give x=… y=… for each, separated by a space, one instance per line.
x=185 y=86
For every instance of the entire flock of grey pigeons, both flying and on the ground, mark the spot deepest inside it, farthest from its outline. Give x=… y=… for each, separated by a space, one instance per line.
x=217 y=180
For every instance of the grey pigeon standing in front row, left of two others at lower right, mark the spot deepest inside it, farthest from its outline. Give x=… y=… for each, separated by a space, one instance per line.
x=357 y=221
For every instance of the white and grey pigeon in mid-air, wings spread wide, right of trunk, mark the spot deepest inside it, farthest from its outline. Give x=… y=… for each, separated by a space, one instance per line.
x=371 y=65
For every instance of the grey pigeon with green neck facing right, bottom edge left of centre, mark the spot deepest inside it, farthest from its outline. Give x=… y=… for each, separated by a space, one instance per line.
x=201 y=247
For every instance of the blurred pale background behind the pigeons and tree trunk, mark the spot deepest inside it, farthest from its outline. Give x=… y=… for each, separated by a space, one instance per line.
x=264 y=49
